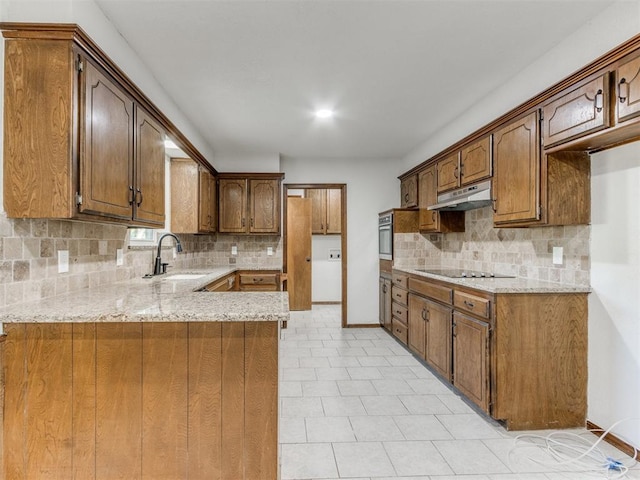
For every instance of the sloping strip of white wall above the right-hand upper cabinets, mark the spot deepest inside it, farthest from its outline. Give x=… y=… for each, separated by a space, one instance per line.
x=612 y=27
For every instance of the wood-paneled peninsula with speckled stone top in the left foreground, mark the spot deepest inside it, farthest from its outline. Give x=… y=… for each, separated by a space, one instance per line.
x=143 y=379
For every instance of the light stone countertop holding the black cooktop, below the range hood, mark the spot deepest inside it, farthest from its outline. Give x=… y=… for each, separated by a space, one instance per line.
x=503 y=285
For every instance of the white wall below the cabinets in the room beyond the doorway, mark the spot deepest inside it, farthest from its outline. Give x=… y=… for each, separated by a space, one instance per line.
x=326 y=274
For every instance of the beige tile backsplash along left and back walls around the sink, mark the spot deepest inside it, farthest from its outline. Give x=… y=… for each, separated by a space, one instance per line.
x=29 y=256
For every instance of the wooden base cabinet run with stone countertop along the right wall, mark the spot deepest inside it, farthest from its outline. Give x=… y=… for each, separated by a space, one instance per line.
x=515 y=347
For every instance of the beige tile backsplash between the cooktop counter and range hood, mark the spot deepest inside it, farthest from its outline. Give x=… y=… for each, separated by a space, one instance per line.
x=524 y=252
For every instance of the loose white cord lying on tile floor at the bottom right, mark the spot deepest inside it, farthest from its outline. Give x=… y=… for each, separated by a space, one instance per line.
x=567 y=448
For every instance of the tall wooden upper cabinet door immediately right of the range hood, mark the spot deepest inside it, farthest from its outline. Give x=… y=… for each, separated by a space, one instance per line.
x=516 y=180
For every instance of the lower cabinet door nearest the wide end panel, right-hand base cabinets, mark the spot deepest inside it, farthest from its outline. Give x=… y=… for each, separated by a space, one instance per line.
x=471 y=359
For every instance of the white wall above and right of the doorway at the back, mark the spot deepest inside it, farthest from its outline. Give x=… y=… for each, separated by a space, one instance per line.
x=370 y=189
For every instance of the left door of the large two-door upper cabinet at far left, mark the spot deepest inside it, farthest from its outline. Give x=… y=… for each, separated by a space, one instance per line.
x=106 y=157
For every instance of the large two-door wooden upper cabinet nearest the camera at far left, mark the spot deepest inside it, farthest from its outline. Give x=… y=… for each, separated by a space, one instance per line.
x=78 y=144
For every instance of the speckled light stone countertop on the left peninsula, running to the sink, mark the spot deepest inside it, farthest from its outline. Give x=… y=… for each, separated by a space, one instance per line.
x=156 y=299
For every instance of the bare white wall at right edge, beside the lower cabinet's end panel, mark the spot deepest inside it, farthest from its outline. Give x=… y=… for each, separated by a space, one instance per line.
x=614 y=304
